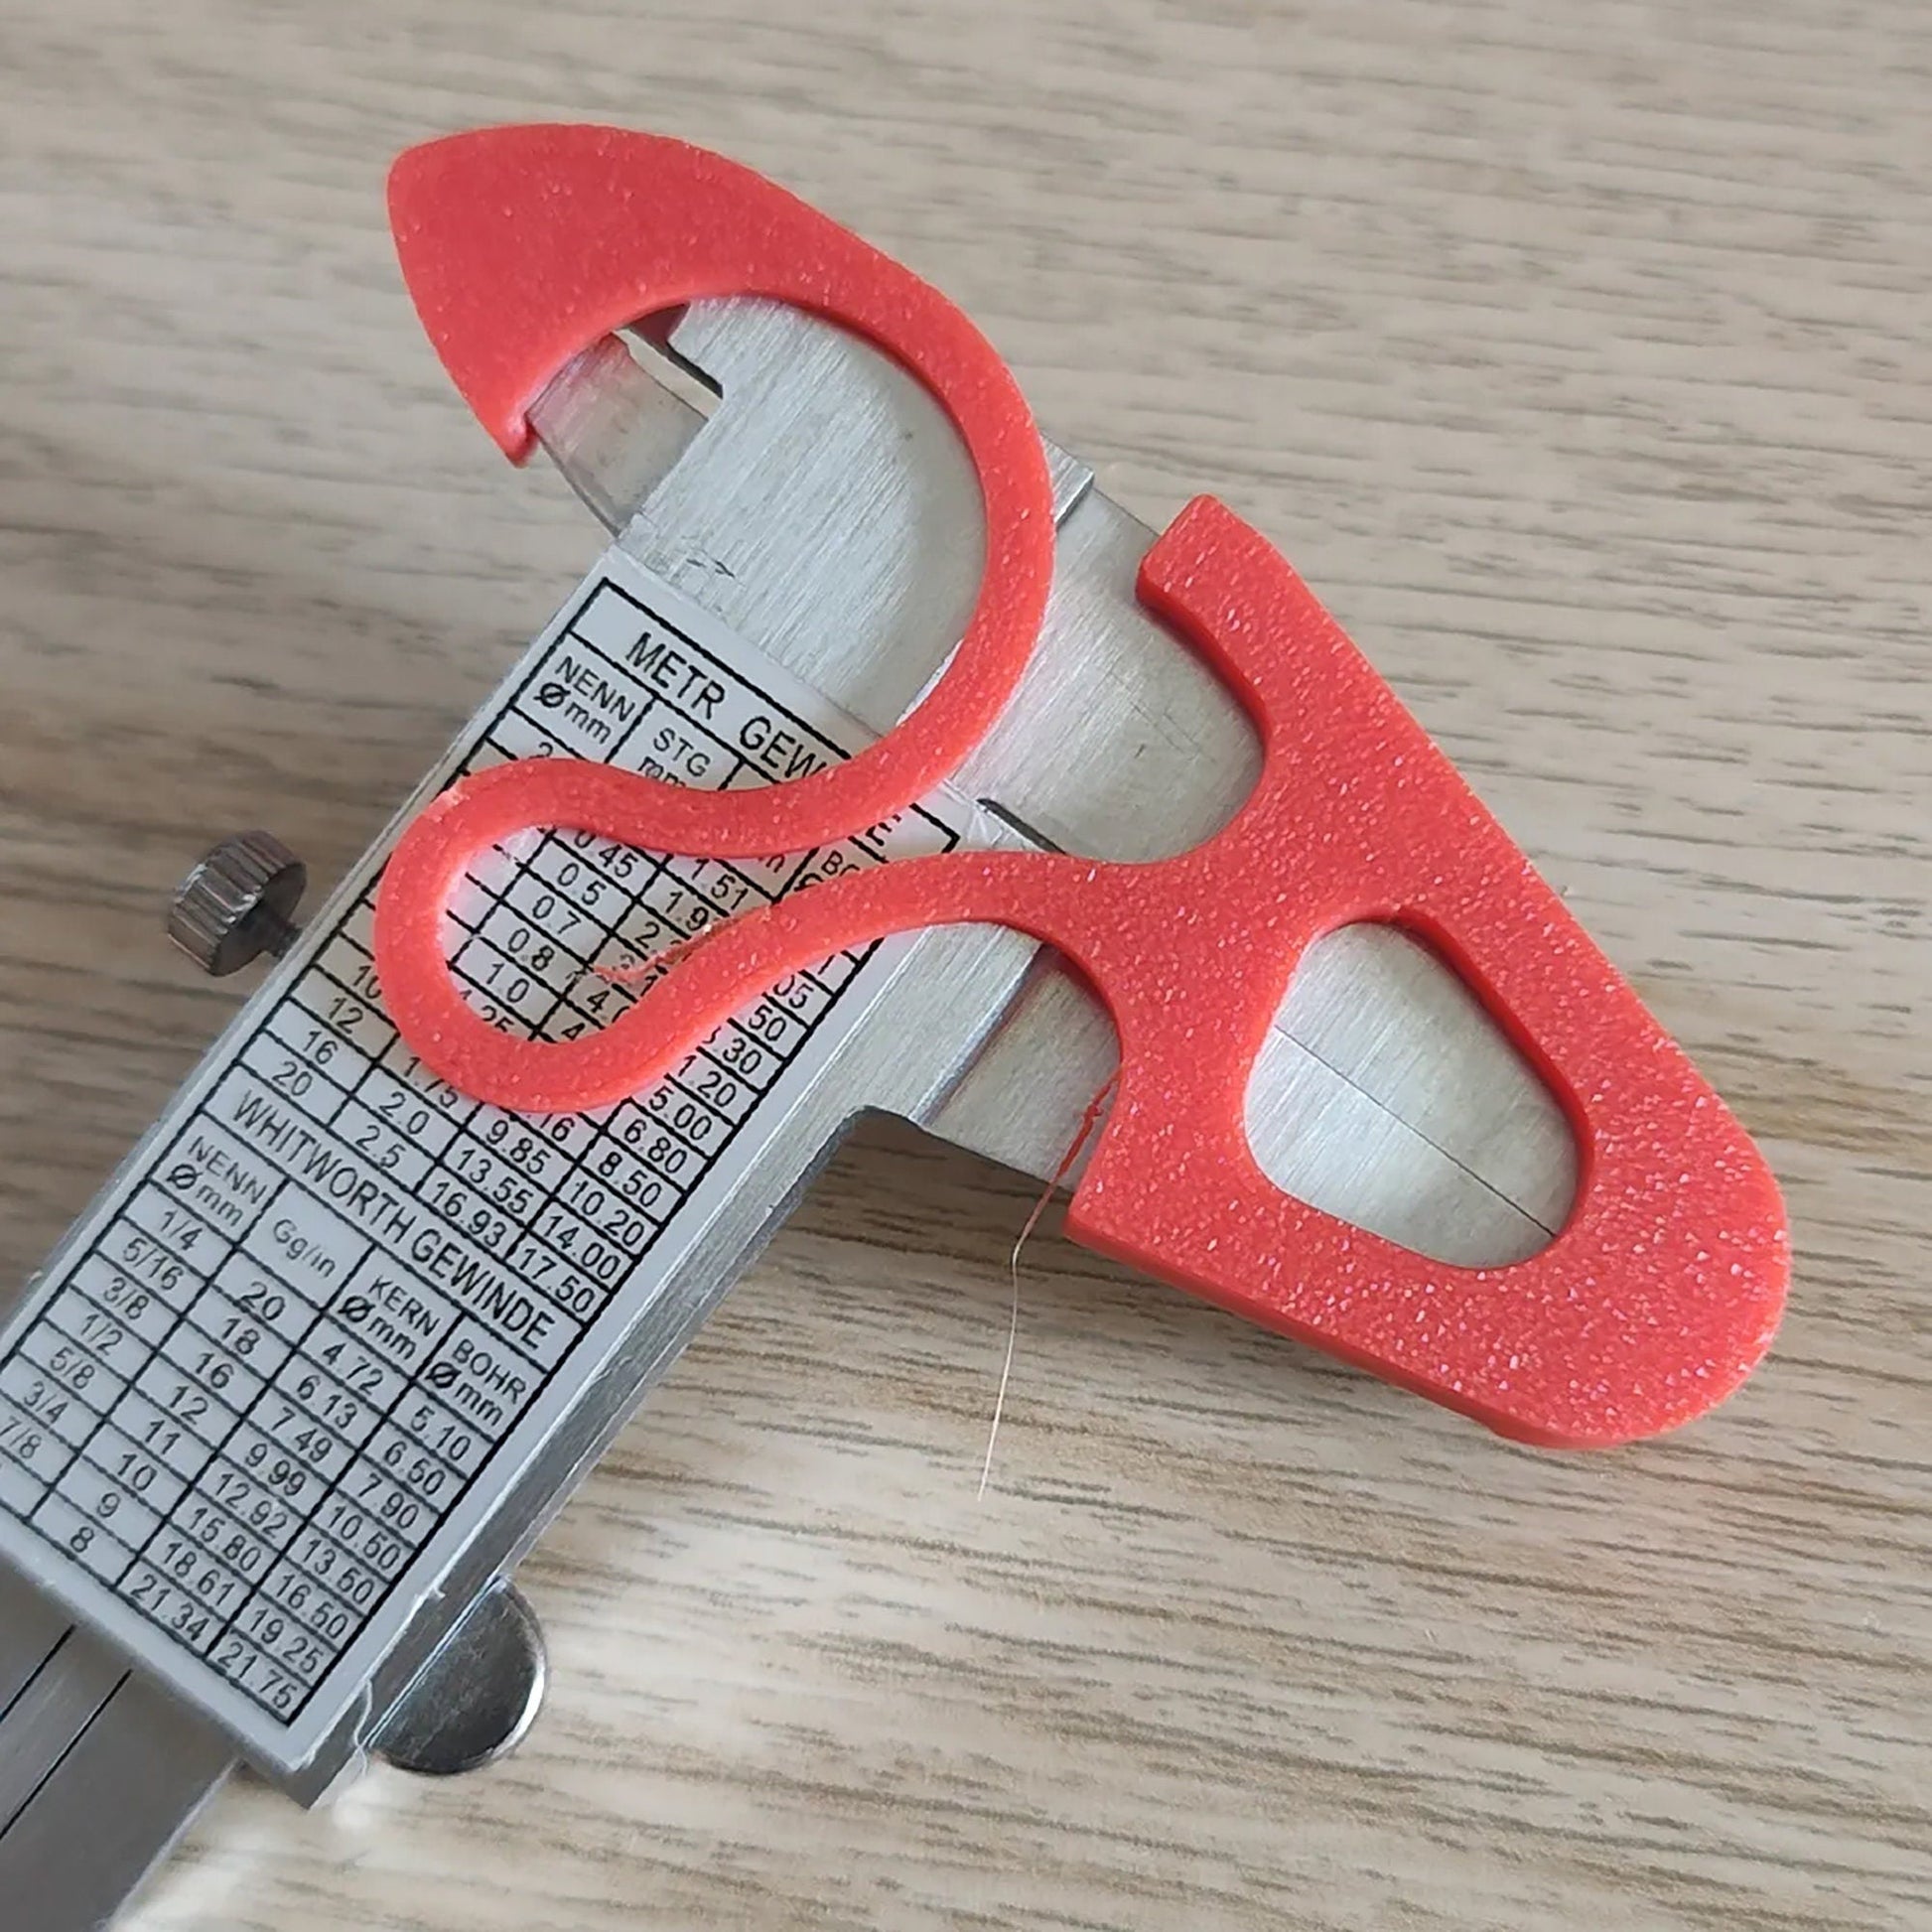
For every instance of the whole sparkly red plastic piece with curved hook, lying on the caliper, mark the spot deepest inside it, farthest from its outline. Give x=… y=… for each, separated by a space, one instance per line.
x=1666 y=1284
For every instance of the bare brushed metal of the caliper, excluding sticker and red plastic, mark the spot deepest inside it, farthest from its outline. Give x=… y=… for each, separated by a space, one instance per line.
x=826 y=513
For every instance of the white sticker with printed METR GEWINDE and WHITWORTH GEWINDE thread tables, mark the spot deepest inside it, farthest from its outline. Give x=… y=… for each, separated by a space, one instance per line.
x=248 y=1400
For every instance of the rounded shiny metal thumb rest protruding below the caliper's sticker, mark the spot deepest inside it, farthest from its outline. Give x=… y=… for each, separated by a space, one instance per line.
x=476 y=1697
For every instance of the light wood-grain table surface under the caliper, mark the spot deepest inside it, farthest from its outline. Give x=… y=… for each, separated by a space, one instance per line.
x=1579 y=356
